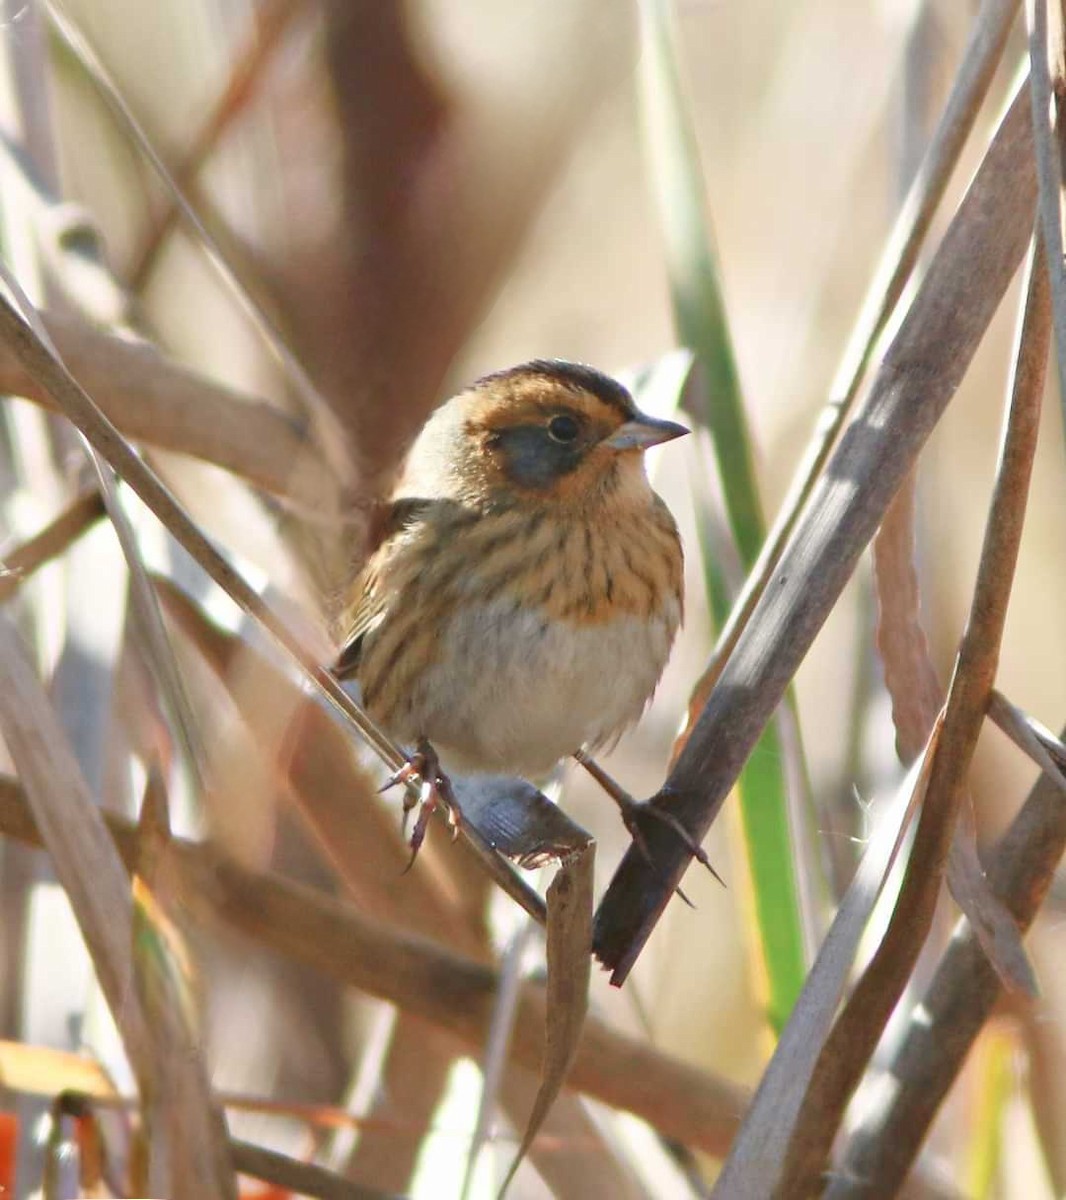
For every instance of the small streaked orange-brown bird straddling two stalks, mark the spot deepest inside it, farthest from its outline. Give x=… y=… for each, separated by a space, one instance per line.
x=526 y=585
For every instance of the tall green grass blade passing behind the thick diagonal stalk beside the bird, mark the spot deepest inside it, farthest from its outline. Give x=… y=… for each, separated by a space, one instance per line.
x=703 y=327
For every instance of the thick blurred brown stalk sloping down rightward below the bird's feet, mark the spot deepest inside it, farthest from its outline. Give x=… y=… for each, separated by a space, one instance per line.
x=450 y=992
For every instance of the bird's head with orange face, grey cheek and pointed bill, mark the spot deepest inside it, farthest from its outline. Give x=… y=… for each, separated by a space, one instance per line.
x=544 y=431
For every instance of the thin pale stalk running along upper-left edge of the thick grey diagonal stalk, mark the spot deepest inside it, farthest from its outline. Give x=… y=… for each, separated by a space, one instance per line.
x=985 y=49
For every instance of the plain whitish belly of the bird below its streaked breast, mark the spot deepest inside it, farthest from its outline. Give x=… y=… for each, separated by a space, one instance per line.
x=554 y=687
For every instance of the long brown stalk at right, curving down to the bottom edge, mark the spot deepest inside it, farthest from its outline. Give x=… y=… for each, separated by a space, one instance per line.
x=861 y=1023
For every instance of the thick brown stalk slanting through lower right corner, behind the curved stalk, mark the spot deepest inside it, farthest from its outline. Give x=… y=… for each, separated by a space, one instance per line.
x=962 y=997
